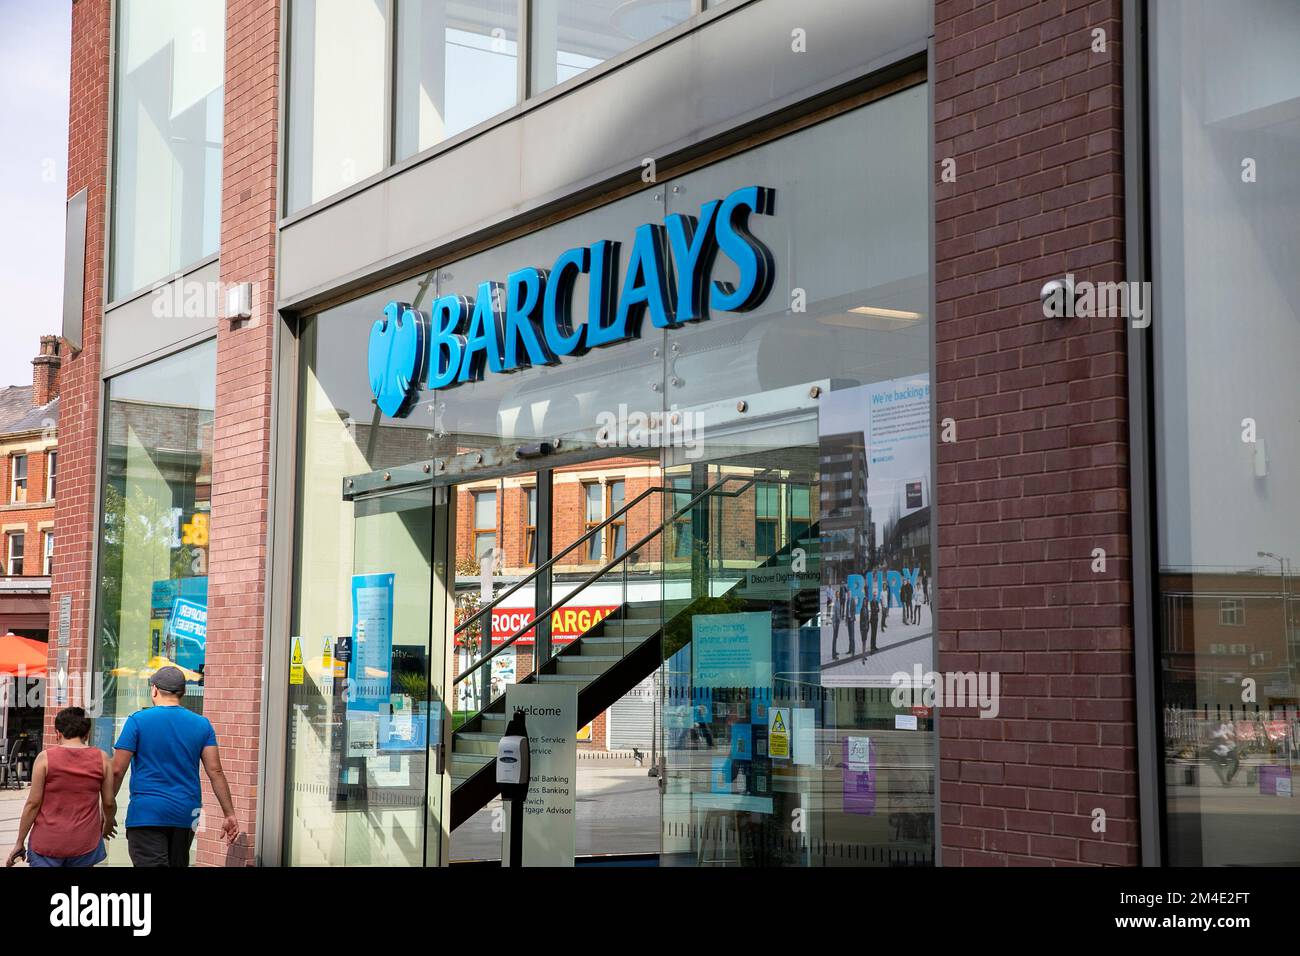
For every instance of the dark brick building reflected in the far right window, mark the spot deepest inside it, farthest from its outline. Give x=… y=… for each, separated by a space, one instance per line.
x=1220 y=628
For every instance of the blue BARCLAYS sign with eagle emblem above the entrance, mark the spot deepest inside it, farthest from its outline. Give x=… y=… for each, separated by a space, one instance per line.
x=528 y=319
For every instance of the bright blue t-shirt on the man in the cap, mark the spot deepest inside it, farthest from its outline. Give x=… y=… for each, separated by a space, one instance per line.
x=168 y=743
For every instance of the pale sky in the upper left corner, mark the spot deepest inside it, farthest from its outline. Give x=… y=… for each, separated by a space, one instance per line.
x=36 y=38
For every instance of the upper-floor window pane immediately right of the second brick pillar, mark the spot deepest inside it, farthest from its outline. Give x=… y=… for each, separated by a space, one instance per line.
x=337 y=81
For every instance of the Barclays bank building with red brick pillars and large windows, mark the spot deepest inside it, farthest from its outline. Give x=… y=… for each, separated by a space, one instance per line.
x=1098 y=500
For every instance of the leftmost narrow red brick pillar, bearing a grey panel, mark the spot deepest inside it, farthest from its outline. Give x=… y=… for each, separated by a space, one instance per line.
x=80 y=395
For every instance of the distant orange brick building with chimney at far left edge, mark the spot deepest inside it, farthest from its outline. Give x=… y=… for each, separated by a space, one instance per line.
x=29 y=466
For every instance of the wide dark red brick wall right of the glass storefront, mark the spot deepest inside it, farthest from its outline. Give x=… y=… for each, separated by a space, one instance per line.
x=1038 y=477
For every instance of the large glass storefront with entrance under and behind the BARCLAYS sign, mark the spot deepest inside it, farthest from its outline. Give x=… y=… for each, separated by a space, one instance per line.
x=743 y=582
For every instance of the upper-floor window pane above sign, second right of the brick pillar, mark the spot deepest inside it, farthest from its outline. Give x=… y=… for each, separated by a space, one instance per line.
x=458 y=66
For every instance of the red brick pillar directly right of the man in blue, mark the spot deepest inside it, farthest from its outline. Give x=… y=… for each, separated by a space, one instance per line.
x=241 y=483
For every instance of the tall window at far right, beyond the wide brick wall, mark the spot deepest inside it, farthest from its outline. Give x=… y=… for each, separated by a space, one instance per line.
x=1225 y=189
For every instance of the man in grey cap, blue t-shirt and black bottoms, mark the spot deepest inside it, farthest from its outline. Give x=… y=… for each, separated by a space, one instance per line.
x=164 y=746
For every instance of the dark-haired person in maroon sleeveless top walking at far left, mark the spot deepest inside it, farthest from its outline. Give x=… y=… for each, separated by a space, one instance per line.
x=71 y=808
